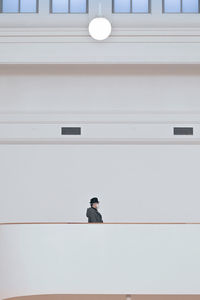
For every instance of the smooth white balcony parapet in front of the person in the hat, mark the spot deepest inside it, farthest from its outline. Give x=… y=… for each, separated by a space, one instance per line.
x=98 y=259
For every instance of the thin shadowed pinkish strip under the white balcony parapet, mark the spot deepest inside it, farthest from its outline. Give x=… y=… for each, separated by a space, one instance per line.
x=107 y=297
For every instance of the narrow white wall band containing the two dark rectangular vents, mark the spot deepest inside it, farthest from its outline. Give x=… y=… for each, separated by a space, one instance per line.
x=93 y=133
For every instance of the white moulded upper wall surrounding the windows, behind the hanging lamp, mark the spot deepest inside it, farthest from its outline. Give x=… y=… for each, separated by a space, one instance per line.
x=64 y=38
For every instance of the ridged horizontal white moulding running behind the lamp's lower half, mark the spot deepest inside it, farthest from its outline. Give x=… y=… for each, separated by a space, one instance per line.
x=119 y=35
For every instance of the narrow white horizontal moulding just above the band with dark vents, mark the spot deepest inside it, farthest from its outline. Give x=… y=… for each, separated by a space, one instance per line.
x=98 y=117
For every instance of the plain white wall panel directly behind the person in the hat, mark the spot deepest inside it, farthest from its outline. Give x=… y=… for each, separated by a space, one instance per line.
x=145 y=183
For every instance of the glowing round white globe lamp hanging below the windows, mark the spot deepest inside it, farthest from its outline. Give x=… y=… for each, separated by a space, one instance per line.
x=100 y=28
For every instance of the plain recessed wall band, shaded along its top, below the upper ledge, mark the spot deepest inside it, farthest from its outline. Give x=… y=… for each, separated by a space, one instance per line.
x=99 y=89
